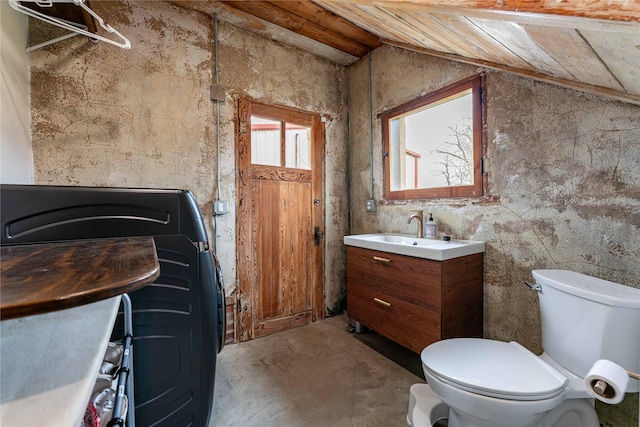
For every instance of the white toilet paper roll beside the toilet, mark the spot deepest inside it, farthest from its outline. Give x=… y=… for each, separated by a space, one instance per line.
x=607 y=381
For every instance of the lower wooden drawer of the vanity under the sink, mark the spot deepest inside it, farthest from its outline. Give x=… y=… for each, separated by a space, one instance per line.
x=407 y=324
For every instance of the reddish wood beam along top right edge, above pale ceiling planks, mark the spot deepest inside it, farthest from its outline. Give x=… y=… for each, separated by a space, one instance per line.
x=614 y=10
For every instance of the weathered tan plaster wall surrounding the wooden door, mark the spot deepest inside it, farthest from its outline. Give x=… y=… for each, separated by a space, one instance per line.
x=142 y=118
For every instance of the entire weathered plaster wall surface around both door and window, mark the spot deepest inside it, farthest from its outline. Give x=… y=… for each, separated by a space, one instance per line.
x=565 y=165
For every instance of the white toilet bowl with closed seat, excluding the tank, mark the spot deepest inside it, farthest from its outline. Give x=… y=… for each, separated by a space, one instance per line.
x=489 y=383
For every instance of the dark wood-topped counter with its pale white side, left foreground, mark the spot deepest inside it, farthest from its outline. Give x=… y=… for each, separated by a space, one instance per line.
x=59 y=302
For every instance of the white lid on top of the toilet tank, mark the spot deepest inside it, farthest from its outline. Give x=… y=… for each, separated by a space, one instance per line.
x=589 y=287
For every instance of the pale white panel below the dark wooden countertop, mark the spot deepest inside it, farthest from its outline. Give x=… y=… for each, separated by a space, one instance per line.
x=49 y=363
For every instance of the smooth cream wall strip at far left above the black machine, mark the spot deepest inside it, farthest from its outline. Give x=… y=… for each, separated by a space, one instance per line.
x=16 y=157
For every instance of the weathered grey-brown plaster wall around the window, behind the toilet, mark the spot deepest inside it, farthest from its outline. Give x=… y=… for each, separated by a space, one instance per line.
x=566 y=169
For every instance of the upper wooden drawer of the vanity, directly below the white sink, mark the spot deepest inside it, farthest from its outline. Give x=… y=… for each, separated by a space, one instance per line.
x=414 y=280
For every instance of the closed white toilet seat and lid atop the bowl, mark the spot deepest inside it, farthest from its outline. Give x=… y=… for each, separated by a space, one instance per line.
x=493 y=368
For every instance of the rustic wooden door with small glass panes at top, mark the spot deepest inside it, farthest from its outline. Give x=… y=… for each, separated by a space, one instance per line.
x=280 y=219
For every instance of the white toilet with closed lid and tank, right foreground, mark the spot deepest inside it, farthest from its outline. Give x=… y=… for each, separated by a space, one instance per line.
x=473 y=382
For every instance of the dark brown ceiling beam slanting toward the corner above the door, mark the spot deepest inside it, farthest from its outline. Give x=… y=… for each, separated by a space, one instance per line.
x=271 y=12
